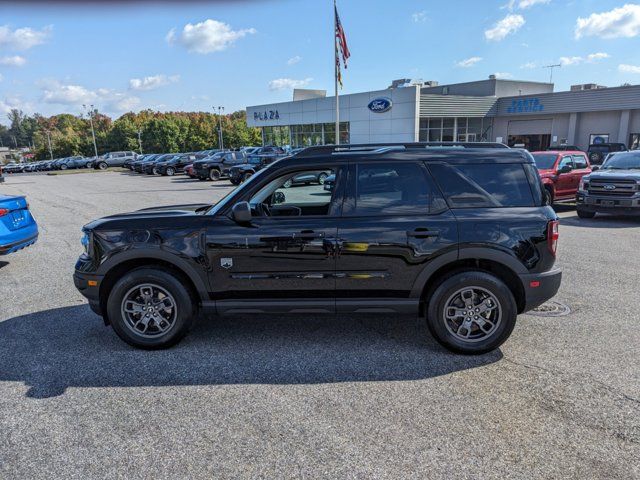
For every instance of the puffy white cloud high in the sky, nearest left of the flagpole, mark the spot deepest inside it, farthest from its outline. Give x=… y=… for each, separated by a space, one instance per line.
x=207 y=37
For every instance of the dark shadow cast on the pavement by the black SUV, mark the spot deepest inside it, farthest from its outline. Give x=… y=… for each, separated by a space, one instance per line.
x=53 y=350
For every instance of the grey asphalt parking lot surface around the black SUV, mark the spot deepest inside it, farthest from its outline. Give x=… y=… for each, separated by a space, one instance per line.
x=314 y=397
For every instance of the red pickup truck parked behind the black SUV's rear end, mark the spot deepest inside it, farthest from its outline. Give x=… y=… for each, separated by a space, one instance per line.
x=561 y=172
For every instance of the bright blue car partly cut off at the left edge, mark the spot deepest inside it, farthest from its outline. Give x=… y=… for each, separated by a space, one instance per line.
x=18 y=229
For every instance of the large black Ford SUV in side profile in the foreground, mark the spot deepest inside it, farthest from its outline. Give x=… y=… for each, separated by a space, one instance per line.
x=462 y=237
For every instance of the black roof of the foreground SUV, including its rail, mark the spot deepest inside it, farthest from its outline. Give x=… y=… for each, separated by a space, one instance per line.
x=450 y=153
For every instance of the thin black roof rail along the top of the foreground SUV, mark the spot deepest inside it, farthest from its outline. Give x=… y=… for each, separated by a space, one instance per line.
x=383 y=147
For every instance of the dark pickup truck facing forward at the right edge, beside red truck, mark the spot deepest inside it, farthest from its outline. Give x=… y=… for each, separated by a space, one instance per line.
x=612 y=188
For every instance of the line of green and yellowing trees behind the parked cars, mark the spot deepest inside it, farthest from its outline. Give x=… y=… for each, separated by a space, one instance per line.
x=158 y=132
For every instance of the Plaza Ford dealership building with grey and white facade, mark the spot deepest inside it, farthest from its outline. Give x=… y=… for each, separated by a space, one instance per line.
x=518 y=113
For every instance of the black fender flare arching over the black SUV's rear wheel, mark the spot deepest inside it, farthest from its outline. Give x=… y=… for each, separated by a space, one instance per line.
x=466 y=253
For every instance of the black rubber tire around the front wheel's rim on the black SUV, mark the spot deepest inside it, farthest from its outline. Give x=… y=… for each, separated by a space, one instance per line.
x=186 y=309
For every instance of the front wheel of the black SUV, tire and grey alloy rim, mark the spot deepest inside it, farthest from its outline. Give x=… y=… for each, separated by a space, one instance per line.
x=150 y=308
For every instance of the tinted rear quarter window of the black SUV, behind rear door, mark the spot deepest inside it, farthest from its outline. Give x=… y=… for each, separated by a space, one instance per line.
x=488 y=185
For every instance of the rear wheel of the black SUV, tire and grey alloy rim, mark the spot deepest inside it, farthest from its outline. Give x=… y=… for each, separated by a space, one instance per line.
x=471 y=312
